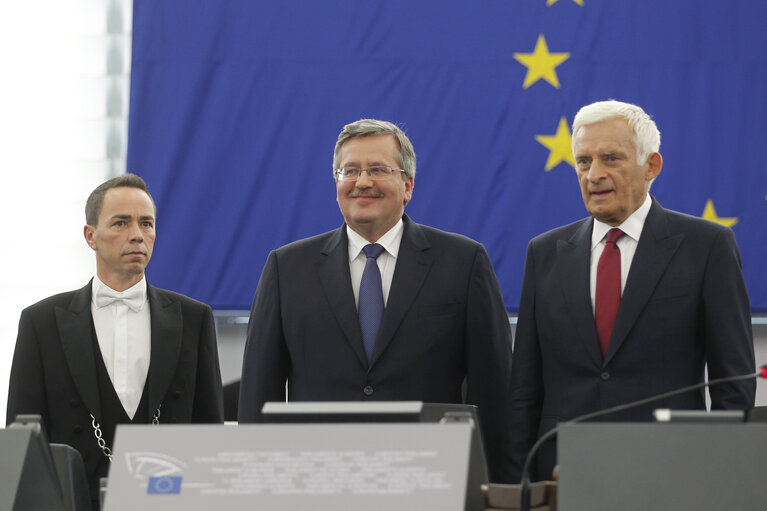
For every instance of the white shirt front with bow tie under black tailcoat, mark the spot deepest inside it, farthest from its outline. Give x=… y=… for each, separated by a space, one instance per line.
x=124 y=336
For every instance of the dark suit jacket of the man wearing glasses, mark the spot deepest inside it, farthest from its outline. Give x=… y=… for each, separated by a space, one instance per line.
x=445 y=320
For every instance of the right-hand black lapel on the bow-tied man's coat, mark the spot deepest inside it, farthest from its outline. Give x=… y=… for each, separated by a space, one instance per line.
x=166 y=325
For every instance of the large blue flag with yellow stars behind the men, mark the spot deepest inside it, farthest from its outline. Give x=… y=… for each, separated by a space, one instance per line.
x=236 y=106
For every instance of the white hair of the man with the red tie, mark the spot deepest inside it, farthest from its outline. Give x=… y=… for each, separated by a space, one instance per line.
x=646 y=135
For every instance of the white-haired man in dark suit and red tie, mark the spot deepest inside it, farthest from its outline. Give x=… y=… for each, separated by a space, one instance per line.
x=608 y=317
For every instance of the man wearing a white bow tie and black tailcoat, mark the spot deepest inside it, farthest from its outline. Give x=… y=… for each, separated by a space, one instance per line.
x=118 y=350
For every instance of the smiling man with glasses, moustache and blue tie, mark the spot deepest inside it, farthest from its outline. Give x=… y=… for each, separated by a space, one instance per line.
x=440 y=314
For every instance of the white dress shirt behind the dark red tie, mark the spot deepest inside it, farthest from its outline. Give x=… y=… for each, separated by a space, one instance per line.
x=632 y=228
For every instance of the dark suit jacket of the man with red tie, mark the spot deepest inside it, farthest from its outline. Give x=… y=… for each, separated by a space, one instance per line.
x=684 y=306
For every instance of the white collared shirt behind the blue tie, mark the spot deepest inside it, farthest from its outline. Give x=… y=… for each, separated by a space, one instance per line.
x=386 y=261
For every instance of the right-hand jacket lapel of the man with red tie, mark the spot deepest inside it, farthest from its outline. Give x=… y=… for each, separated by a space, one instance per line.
x=654 y=252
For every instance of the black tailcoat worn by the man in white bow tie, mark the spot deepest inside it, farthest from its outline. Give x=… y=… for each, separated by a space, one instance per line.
x=54 y=369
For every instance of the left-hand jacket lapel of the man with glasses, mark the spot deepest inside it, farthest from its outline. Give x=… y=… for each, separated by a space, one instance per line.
x=333 y=270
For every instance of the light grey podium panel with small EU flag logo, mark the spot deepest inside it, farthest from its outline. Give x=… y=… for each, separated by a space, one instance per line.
x=287 y=467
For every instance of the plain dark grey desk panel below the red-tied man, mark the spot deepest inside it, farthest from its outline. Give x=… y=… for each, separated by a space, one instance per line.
x=677 y=466
